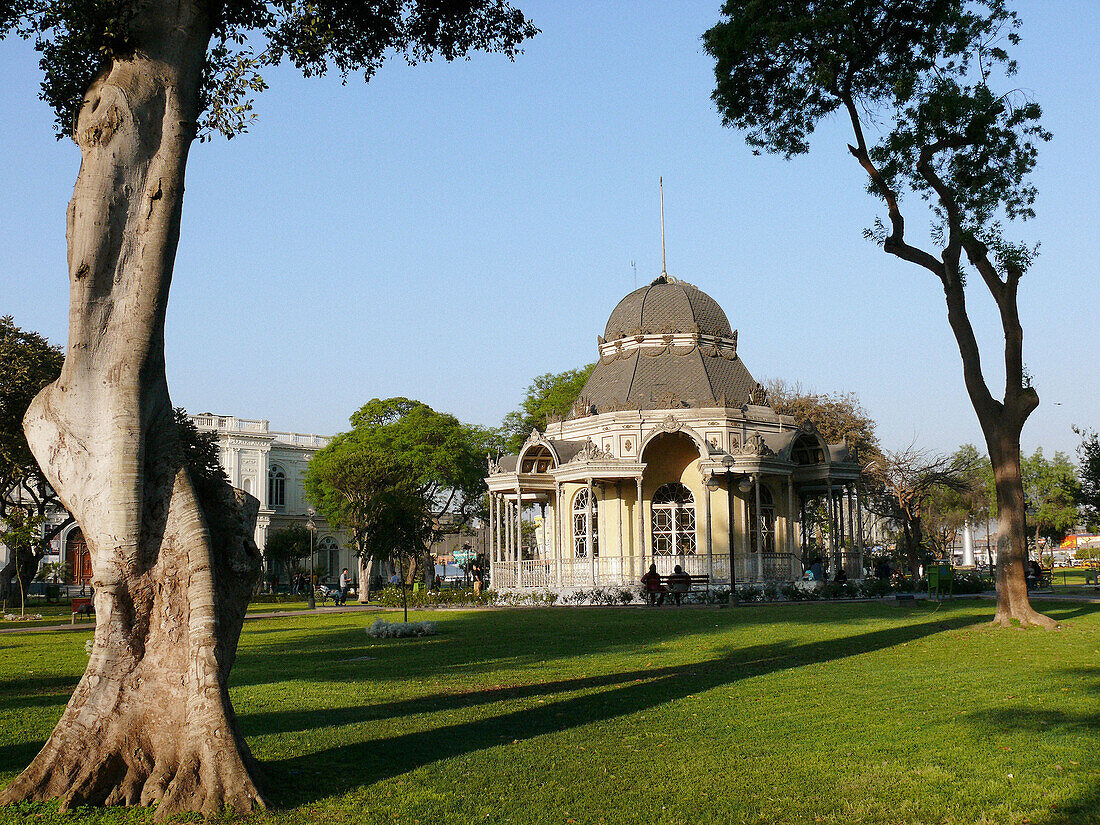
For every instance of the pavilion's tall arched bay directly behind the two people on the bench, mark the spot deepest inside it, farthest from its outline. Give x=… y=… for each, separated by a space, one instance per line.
x=677 y=514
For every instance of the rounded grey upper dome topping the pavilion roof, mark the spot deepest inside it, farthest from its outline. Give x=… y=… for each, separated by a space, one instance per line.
x=667 y=306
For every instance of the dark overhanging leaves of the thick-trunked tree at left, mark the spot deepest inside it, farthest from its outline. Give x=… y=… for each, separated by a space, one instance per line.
x=80 y=39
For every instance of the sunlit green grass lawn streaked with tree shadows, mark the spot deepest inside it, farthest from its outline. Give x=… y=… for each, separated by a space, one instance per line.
x=835 y=713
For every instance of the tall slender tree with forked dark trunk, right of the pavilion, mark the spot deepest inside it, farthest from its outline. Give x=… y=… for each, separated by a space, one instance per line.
x=925 y=74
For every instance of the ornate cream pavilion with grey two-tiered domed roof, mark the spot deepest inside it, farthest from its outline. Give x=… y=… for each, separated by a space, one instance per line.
x=672 y=456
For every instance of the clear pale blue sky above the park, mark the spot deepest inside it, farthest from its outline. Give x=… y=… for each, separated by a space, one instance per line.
x=449 y=232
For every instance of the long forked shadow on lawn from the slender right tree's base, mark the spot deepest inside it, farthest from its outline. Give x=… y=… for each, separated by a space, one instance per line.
x=357 y=764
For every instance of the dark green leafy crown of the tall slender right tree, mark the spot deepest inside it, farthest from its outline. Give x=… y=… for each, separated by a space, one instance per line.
x=923 y=70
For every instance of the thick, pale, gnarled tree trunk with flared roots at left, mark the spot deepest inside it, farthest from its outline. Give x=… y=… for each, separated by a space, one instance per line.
x=151 y=721
